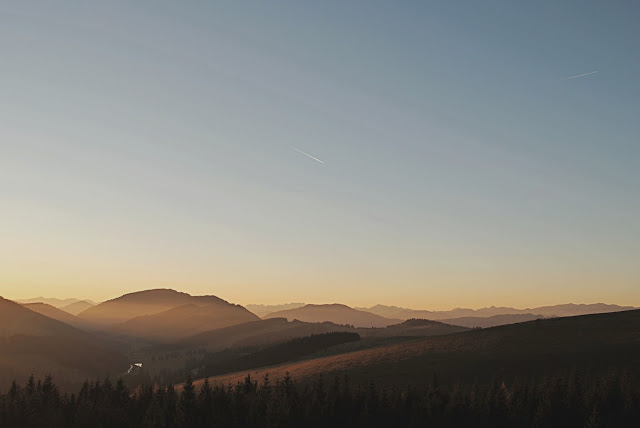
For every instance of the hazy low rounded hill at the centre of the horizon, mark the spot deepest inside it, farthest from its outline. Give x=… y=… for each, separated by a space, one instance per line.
x=335 y=313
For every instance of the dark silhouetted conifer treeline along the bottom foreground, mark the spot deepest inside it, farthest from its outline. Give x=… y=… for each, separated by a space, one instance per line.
x=571 y=401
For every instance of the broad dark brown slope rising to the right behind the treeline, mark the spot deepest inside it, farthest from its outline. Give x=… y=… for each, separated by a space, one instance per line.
x=589 y=342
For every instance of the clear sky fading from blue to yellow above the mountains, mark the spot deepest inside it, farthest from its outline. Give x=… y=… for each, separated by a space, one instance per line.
x=155 y=144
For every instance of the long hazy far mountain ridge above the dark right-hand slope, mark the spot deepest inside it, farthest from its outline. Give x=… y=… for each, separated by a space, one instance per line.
x=564 y=310
